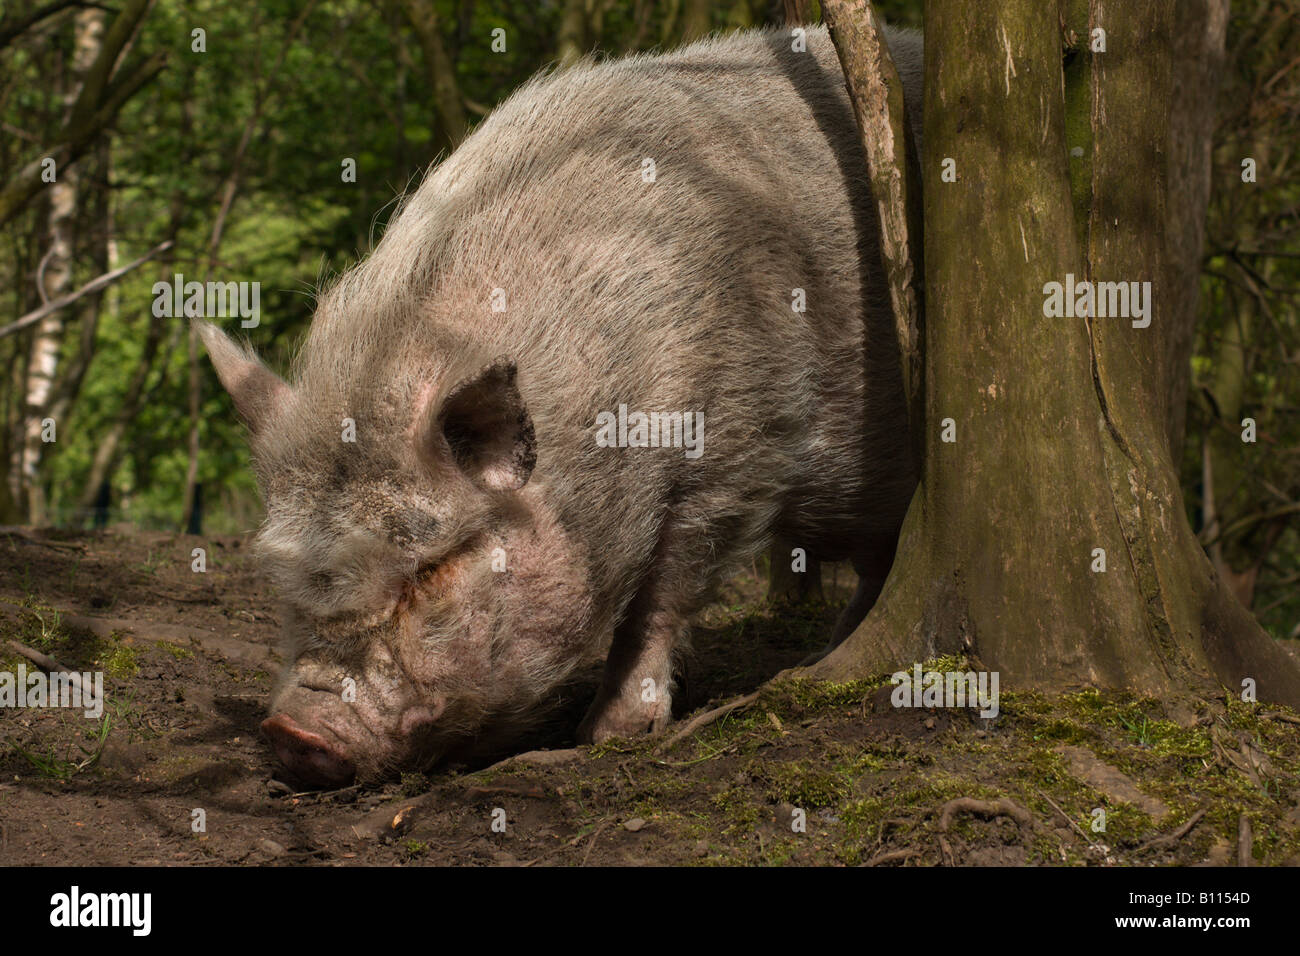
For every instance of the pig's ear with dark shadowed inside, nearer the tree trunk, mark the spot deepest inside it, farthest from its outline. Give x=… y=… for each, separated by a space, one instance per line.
x=488 y=429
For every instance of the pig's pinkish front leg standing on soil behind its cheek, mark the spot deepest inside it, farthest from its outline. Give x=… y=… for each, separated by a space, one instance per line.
x=636 y=694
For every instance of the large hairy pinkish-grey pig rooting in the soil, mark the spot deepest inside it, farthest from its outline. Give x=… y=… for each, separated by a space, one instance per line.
x=465 y=503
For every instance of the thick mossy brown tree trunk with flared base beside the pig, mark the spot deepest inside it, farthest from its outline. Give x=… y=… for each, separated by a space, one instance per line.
x=1065 y=427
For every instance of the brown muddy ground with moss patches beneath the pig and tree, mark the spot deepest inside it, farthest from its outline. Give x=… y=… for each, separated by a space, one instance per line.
x=189 y=661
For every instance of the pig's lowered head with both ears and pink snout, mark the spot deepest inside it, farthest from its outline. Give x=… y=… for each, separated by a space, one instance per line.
x=432 y=600
